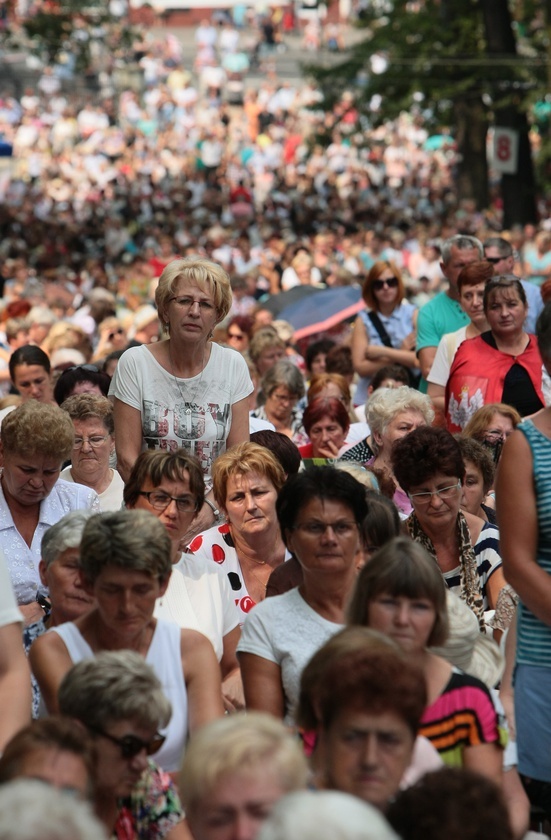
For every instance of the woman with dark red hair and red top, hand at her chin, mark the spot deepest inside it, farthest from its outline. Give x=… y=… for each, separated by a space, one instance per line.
x=326 y=423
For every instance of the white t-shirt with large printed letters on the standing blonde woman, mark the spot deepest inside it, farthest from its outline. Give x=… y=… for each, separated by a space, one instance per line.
x=192 y=413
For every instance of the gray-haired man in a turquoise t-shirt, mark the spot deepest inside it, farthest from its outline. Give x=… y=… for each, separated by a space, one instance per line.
x=443 y=314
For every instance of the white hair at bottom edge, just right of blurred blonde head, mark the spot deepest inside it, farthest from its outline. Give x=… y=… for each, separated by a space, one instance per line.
x=325 y=815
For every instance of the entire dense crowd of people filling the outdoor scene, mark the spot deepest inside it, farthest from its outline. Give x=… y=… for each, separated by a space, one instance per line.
x=235 y=565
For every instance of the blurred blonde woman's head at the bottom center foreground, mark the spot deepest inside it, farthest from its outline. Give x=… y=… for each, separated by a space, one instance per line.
x=234 y=772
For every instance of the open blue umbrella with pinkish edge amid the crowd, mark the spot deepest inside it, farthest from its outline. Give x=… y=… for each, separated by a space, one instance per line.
x=325 y=309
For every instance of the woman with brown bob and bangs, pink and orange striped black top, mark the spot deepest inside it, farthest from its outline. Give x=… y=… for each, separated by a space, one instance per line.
x=400 y=592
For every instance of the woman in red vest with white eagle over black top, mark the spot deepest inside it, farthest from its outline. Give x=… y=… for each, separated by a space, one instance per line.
x=500 y=365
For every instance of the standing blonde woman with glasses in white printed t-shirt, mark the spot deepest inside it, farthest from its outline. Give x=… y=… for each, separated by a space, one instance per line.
x=184 y=390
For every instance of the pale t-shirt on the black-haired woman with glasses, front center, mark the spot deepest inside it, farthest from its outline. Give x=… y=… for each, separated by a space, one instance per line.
x=286 y=631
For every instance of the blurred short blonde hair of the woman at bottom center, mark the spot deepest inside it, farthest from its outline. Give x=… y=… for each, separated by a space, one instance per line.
x=235 y=744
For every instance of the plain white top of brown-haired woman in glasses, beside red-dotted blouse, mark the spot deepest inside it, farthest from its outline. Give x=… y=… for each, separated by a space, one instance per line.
x=199 y=597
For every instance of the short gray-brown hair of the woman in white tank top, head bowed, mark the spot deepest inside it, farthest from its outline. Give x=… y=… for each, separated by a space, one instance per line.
x=127 y=539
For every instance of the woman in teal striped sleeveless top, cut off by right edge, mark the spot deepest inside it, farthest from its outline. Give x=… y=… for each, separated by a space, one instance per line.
x=523 y=493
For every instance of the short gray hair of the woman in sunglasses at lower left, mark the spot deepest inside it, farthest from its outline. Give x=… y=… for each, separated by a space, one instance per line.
x=116 y=685
